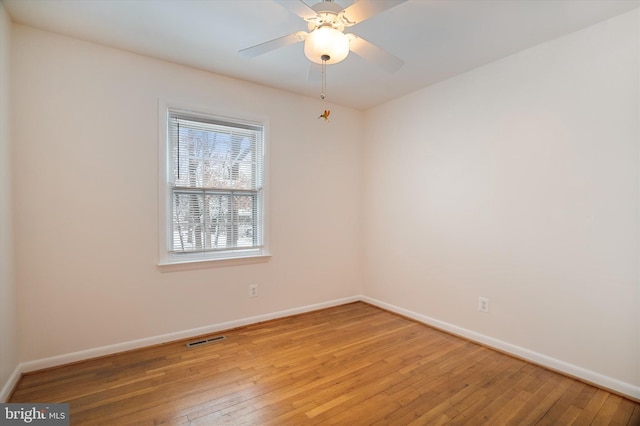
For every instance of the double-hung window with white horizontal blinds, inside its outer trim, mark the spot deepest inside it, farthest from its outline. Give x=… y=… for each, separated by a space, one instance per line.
x=214 y=192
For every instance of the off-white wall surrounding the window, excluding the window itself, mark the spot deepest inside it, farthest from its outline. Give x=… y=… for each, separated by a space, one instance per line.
x=85 y=122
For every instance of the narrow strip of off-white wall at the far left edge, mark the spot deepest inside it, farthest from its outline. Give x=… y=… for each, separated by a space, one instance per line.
x=8 y=323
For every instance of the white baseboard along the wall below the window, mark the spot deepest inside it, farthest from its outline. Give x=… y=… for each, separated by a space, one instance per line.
x=185 y=334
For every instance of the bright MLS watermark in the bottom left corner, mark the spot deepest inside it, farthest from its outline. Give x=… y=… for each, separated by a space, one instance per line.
x=35 y=414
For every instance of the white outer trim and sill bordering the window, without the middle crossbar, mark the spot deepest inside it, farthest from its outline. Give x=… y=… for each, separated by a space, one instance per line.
x=185 y=261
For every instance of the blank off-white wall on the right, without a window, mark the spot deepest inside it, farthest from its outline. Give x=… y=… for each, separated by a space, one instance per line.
x=518 y=181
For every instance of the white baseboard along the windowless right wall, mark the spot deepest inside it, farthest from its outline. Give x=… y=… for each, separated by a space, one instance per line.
x=597 y=379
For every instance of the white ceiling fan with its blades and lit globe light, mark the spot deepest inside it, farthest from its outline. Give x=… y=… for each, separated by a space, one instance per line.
x=326 y=42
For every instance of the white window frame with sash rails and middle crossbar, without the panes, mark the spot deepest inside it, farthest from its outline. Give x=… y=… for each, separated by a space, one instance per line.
x=211 y=258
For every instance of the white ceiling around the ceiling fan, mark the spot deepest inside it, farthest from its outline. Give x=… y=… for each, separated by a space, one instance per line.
x=436 y=39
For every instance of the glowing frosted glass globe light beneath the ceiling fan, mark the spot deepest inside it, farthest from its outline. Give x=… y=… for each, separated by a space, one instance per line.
x=326 y=41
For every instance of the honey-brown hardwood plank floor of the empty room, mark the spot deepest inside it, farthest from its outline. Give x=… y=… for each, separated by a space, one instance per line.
x=350 y=365
